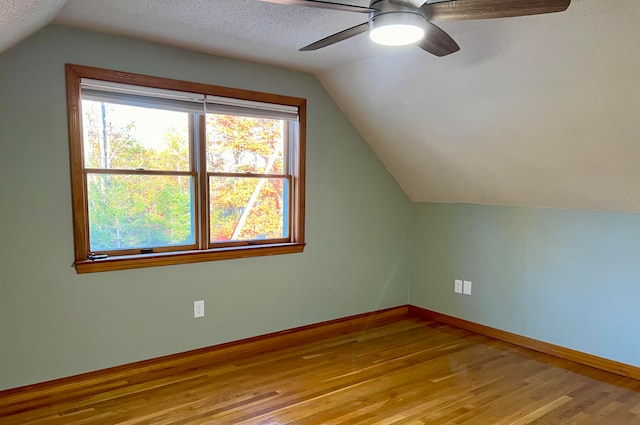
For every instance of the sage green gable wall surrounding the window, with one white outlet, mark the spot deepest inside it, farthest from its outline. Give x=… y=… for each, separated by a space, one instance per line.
x=55 y=323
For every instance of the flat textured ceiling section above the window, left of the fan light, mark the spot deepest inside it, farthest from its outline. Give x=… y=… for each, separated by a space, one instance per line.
x=247 y=29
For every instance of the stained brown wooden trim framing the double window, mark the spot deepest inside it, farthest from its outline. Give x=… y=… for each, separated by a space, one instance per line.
x=74 y=73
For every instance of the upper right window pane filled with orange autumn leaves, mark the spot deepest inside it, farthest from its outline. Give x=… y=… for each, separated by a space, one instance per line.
x=244 y=145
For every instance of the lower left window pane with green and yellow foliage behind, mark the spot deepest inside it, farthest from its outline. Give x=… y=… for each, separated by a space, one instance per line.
x=136 y=211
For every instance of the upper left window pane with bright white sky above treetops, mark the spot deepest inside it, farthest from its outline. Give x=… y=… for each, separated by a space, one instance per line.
x=132 y=137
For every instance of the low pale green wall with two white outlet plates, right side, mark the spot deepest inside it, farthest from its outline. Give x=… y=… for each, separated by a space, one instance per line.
x=571 y=278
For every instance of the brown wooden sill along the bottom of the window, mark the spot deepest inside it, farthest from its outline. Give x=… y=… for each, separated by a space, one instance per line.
x=183 y=257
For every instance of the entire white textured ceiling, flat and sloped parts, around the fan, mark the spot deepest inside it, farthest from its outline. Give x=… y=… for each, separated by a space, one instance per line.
x=533 y=111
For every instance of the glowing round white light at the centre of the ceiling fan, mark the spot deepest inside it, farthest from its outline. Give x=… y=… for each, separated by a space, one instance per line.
x=397 y=28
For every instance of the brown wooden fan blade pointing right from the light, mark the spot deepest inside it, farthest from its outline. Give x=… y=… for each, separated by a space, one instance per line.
x=486 y=9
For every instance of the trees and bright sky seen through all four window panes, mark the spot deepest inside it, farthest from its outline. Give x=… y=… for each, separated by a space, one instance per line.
x=137 y=211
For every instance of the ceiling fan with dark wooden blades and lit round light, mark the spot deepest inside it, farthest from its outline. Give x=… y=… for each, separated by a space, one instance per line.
x=401 y=22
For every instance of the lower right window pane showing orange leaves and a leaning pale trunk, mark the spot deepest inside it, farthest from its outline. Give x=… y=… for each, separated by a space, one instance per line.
x=246 y=208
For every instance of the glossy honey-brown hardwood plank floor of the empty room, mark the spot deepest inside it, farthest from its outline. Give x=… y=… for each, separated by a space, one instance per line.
x=398 y=371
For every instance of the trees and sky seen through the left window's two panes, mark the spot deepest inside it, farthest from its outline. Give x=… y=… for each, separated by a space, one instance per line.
x=136 y=211
